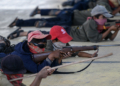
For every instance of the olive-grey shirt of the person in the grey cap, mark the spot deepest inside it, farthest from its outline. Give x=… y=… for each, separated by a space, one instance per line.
x=87 y=32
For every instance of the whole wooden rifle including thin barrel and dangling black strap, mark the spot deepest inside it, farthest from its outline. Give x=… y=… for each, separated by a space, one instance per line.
x=37 y=58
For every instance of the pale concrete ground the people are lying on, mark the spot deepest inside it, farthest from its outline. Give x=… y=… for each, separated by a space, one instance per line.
x=102 y=72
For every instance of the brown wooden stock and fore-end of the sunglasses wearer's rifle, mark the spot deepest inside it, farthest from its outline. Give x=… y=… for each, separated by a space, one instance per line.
x=37 y=58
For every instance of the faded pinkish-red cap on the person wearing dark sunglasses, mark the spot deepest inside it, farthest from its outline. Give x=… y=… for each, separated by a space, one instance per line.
x=37 y=35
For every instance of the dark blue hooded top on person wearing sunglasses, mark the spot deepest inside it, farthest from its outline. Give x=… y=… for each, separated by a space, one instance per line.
x=22 y=50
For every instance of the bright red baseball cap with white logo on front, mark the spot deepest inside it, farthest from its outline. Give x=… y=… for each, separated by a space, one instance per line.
x=60 y=33
